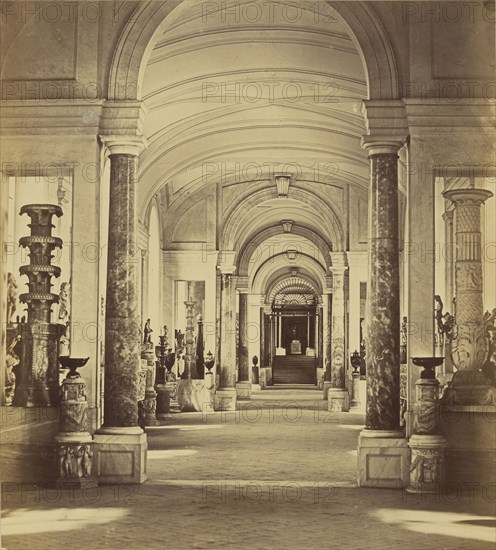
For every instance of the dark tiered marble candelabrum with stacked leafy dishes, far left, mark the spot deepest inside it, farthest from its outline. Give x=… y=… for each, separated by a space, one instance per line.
x=38 y=383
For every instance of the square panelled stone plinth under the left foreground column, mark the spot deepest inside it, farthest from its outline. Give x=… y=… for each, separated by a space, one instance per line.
x=121 y=455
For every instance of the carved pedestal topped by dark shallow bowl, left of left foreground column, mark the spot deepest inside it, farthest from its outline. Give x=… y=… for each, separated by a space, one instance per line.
x=74 y=442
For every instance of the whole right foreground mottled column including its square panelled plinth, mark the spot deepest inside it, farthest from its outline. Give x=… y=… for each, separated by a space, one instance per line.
x=383 y=454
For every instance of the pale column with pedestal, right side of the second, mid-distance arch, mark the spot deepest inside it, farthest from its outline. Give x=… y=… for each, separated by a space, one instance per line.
x=338 y=396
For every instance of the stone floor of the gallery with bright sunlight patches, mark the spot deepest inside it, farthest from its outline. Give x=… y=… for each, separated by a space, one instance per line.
x=277 y=474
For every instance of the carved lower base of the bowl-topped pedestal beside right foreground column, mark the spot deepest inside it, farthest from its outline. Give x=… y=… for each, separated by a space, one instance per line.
x=427 y=471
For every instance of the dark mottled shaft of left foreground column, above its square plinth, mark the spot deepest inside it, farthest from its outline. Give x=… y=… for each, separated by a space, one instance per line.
x=122 y=323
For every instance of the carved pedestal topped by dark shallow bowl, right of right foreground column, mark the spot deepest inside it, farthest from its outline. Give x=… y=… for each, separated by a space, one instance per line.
x=427 y=468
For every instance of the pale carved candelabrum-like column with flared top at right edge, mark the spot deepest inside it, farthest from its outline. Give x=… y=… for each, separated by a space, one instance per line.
x=468 y=345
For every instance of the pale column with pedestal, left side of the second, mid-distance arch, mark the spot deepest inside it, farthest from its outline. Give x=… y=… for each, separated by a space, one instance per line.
x=225 y=397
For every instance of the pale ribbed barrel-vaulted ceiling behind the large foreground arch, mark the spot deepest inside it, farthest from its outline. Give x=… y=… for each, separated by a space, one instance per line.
x=234 y=96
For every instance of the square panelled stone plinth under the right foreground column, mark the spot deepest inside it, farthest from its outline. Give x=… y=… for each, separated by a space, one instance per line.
x=383 y=459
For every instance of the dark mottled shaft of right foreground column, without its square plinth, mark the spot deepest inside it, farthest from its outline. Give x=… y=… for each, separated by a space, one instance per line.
x=383 y=298
